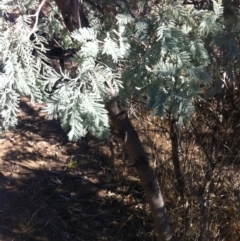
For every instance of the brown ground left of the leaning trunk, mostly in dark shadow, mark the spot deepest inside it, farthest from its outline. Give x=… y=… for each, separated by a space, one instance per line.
x=51 y=189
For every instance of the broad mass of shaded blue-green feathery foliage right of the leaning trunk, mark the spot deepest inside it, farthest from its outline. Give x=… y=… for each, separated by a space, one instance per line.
x=170 y=60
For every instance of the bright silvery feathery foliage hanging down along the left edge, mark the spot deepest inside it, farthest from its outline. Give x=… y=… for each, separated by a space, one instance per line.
x=20 y=69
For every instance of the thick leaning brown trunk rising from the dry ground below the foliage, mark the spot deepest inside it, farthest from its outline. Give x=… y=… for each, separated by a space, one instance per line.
x=138 y=158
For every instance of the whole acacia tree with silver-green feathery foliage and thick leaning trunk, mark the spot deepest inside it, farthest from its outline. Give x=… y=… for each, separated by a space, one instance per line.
x=143 y=49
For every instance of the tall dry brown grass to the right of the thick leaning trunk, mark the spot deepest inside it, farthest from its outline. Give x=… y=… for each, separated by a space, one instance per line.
x=200 y=216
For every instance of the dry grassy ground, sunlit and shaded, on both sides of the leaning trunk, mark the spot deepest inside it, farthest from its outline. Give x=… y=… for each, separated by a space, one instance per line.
x=57 y=190
